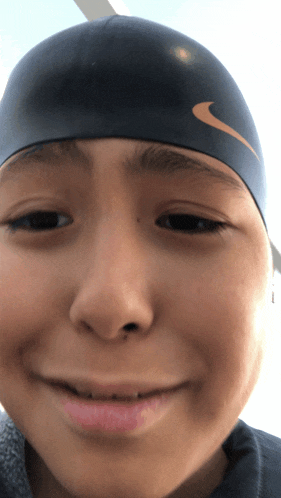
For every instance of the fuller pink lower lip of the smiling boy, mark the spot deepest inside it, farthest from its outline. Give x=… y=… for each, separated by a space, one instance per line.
x=115 y=416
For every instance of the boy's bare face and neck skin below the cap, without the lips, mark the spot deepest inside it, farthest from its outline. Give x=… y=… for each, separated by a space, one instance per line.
x=199 y=303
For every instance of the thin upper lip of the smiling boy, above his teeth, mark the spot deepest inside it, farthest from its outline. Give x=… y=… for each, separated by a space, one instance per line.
x=122 y=389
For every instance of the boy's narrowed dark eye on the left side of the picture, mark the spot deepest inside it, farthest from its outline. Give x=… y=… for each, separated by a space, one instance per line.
x=38 y=221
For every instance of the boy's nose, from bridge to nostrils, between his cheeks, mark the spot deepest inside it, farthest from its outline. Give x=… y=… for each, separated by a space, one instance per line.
x=113 y=289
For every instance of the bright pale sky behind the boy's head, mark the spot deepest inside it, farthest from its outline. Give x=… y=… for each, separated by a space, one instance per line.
x=245 y=36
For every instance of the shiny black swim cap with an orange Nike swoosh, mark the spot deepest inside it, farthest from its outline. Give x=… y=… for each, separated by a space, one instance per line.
x=122 y=76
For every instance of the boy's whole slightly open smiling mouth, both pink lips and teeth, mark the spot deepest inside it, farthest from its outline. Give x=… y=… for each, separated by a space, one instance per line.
x=112 y=408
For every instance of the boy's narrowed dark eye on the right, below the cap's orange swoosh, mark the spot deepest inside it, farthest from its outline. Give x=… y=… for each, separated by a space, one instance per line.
x=190 y=224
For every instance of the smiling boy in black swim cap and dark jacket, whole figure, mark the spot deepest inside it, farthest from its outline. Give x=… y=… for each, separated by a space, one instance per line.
x=136 y=271
